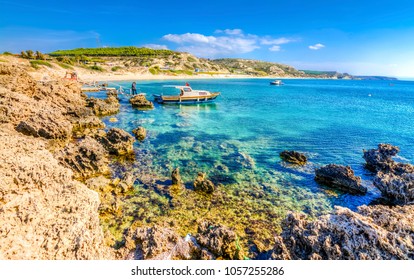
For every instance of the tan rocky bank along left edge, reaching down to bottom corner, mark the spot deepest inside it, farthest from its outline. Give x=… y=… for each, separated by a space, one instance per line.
x=44 y=213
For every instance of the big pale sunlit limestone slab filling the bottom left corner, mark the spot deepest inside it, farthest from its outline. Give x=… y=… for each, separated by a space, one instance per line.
x=44 y=213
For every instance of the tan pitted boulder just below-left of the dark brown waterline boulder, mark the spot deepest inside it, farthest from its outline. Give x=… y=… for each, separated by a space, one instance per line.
x=86 y=158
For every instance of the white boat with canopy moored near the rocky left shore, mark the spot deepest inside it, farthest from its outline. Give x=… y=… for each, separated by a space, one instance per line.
x=187 y=95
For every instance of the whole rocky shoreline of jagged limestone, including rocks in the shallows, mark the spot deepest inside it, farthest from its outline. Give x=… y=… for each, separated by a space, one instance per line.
x=57 y=188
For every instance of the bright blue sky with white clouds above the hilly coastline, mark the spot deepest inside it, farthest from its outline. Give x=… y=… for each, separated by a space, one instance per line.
x=358 y=37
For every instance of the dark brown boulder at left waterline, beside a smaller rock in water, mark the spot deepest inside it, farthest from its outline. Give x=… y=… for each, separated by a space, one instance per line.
x=117 y=142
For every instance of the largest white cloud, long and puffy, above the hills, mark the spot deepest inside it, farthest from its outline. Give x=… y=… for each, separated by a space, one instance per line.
x=224 y=42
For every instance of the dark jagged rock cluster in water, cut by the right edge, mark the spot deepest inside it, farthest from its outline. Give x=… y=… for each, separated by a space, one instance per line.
x=393 y=179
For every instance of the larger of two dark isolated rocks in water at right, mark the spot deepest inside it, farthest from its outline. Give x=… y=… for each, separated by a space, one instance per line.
x=341 y=177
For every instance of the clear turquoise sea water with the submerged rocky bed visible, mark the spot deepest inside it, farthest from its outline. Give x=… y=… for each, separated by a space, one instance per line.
x=237 y=139
